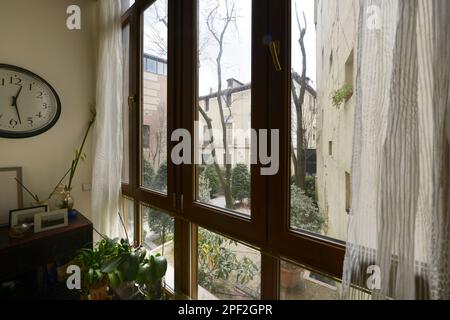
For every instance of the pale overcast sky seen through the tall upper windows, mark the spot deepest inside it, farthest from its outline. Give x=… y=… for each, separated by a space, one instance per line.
x=236 y=59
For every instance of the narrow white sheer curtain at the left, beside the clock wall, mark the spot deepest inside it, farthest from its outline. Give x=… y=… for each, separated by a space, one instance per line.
x=107 y=168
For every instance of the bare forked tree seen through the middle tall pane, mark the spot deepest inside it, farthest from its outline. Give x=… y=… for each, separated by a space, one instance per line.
x=218 y=24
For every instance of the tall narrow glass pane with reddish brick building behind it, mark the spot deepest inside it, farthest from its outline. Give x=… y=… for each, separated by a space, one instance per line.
x=154 y=113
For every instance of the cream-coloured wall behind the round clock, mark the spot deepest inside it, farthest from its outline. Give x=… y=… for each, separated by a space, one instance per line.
x=34 y=36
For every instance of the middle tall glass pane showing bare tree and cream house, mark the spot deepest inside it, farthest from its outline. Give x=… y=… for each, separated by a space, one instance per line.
x=224 y=92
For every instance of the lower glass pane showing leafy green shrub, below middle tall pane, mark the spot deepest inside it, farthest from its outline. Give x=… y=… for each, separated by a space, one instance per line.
x=227 y=270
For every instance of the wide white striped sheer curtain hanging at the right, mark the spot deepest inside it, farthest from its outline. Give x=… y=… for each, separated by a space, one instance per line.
x=400 y=218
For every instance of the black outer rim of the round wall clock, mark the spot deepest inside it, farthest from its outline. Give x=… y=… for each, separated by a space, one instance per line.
x=21 y=135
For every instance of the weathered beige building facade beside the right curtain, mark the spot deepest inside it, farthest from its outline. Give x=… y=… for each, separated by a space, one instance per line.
x=336 y=23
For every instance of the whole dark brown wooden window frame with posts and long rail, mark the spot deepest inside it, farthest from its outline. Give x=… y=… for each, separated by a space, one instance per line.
x=268 y=229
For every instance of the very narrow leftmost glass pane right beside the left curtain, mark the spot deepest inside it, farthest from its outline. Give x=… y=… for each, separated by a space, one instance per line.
x=125 y=109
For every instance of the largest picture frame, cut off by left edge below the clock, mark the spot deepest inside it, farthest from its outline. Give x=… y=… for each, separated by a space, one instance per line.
x=11 y=197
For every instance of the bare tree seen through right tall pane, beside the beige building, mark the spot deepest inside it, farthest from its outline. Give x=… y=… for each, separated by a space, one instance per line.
x=299 y=158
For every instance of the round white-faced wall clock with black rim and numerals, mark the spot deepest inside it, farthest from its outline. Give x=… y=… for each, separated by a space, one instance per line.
x=29 y=105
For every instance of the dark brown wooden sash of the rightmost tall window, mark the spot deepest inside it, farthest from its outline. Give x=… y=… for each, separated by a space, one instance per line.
x=318 y=252
